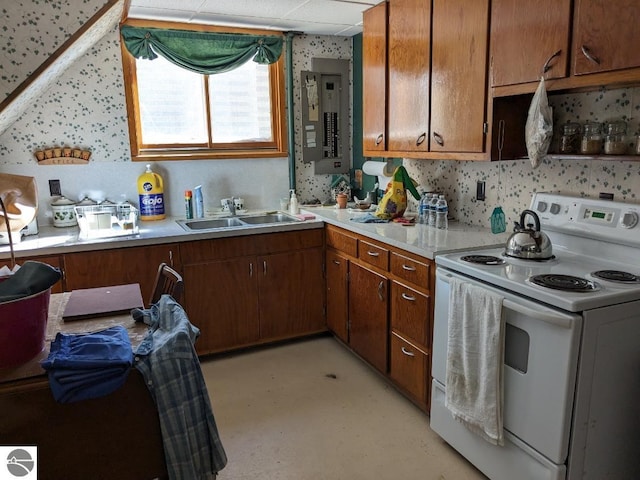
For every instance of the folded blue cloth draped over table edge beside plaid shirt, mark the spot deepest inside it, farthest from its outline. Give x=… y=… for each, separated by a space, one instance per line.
x=89 y=365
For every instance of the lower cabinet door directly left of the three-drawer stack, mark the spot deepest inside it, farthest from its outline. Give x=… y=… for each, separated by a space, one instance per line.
x=368 y=314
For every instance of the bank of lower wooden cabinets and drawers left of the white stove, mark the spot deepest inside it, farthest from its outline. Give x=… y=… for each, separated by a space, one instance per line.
x=379 y=302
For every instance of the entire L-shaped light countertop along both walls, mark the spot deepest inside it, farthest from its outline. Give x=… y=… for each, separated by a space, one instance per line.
x=419 y=239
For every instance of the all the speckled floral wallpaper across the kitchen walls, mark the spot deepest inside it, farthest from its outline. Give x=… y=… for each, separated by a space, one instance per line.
x=86 y=108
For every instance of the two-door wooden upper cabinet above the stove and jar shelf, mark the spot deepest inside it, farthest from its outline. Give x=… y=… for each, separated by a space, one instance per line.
x=579 y=44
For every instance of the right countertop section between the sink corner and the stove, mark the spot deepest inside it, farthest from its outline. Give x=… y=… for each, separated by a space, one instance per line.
x=417 y=238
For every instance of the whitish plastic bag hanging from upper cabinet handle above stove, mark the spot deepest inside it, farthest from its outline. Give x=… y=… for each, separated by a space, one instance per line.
x=539 y=126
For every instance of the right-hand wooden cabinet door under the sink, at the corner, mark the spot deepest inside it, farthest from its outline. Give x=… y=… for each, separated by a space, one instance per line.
x=291 y=293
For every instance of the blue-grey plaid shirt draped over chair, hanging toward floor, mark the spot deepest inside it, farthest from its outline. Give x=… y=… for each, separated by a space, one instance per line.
x=169 y=364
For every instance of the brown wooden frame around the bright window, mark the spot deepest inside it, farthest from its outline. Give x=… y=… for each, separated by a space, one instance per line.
x=144 y=153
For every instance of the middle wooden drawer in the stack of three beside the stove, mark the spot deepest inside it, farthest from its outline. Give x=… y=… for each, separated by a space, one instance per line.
x=410 y=314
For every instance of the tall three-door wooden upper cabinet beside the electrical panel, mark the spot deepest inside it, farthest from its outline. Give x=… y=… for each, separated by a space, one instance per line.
x=437 y=78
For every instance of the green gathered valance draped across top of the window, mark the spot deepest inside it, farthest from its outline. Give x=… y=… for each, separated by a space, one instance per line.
x=201 y=52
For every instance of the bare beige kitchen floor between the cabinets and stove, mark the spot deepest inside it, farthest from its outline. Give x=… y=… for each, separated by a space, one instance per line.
x=282 y=415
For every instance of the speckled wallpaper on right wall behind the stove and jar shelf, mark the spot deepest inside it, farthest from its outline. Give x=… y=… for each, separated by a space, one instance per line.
x=511 y=183
